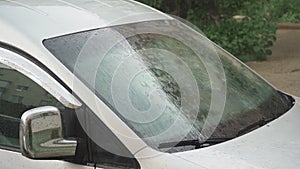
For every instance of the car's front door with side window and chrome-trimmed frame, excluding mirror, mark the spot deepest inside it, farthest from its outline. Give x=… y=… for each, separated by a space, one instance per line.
x=23 y=86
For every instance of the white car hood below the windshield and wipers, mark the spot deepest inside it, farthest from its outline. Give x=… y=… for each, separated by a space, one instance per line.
x=273 y=146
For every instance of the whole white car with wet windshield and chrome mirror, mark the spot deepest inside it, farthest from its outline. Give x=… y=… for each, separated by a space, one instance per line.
x=117 y=84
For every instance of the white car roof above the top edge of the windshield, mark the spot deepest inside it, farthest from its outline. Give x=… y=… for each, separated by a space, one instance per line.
x=36 y=20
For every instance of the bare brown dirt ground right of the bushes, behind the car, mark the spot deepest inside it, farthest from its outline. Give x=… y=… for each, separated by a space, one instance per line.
x=282 y=69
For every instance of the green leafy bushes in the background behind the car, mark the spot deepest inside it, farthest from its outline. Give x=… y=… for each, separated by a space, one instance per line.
x=248 y=39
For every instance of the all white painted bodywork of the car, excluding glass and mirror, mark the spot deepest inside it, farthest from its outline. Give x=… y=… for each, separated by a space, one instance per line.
x=25 y=24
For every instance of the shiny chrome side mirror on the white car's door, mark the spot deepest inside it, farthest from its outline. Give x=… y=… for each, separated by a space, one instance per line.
x=41 y=134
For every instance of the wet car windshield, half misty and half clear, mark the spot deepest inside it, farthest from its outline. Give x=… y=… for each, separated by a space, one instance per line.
x=168 y=82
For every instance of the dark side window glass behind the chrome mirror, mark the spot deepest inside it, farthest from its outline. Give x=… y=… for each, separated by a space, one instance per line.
x=18 y=94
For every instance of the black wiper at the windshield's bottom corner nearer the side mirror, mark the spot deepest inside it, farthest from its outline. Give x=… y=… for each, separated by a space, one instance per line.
x=197 y=143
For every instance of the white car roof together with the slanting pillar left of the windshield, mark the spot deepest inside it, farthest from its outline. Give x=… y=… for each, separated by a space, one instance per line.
x=26 y=34
